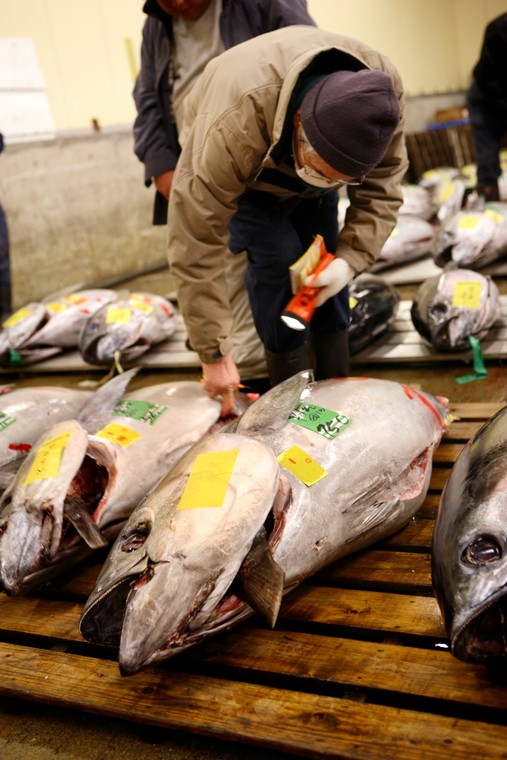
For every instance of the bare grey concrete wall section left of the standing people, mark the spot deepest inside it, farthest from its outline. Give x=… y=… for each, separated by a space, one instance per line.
x=78 y=213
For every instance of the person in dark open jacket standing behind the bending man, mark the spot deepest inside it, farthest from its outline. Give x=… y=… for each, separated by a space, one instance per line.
x=179 y=38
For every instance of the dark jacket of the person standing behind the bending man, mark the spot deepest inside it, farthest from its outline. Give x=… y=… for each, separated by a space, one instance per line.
x=155 y=134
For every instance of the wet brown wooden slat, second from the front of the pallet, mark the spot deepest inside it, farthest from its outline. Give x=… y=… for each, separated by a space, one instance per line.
x=407 y=670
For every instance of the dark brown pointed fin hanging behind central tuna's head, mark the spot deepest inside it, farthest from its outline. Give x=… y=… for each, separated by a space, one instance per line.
x=260 y=581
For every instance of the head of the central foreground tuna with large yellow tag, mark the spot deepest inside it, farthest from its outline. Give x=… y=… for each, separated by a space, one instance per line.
x=181 y=549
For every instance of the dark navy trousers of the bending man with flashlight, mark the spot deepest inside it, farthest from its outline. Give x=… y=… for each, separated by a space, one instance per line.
x=275 y=234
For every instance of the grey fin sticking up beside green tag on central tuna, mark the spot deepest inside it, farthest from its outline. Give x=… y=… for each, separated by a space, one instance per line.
x=272 y=409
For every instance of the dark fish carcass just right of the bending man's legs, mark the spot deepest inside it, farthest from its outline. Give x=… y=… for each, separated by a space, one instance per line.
x=373 y=307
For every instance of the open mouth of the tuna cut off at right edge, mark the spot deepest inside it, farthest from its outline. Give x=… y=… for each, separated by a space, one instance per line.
x=483 y=638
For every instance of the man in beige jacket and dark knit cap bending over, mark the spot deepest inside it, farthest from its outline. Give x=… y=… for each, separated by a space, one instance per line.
x=272 y=128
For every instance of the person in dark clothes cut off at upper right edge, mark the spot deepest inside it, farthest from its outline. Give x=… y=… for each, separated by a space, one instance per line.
x=487 y=107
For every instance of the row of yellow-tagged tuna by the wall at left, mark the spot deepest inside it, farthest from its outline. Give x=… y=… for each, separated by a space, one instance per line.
x=104 y=325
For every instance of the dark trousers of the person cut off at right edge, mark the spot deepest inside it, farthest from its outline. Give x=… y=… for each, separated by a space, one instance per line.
x=488 y=122
